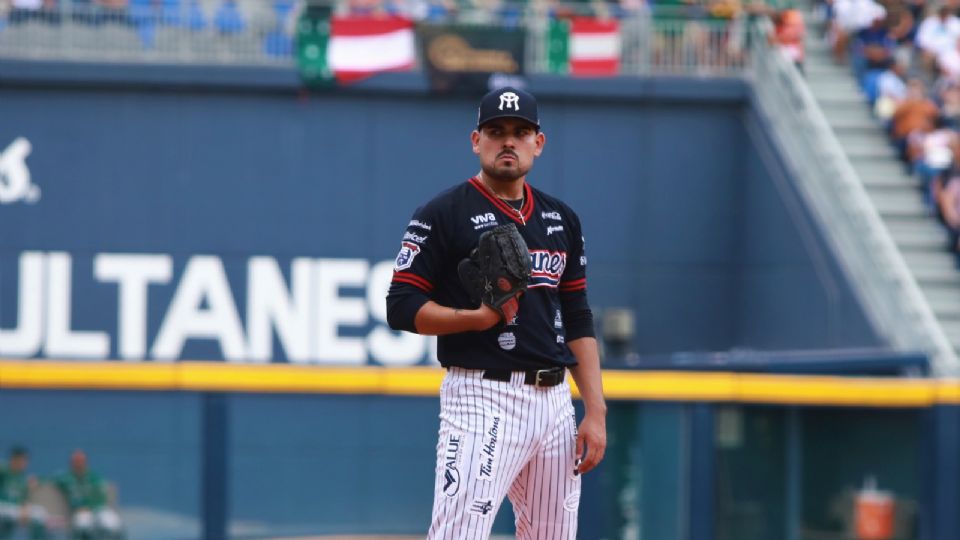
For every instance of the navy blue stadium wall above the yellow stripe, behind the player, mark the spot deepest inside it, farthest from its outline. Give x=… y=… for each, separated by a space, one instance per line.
x=176 y=221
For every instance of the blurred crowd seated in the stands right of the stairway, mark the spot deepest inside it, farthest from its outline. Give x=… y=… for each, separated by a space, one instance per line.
x=905 y=55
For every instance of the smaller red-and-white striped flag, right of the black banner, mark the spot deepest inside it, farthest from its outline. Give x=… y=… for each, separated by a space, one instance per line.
x=594 y=46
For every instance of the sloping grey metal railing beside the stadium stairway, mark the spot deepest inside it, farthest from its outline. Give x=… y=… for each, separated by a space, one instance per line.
x=834 y=192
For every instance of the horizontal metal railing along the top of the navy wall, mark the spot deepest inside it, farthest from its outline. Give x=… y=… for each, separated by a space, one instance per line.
x=202 y=33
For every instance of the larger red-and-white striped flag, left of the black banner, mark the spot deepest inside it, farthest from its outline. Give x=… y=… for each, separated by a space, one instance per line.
x=362 y=46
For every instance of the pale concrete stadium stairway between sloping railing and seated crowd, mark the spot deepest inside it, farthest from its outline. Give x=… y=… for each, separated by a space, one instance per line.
x=920 y=238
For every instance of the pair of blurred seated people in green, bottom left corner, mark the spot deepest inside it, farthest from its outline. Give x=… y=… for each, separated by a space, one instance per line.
x=87 y=499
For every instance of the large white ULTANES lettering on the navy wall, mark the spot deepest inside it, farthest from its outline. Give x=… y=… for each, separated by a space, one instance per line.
x=313 y=319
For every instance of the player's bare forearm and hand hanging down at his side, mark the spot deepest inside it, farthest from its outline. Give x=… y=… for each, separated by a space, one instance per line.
x=592 y=433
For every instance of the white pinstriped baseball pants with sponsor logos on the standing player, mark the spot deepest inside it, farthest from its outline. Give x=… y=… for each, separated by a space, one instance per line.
x=499 y=439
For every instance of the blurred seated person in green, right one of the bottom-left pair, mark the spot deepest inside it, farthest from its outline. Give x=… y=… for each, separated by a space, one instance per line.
x=91 y=515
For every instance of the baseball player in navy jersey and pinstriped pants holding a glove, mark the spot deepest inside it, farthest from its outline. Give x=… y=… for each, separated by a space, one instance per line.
x=507 y=425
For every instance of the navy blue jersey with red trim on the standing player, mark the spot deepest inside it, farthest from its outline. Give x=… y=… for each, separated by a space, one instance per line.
x=552 y=311
